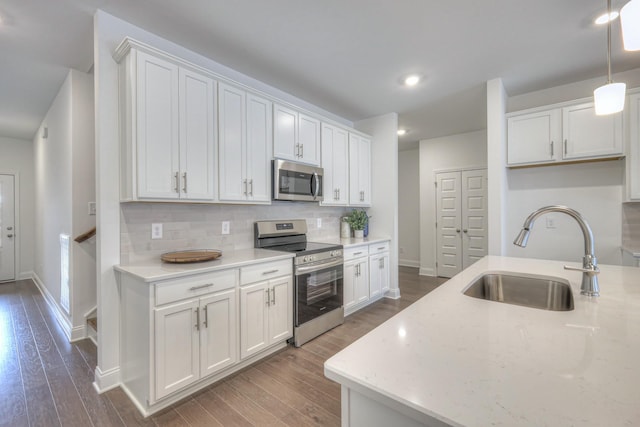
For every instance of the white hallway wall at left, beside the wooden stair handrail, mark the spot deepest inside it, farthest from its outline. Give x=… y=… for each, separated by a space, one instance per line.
x=64 y=183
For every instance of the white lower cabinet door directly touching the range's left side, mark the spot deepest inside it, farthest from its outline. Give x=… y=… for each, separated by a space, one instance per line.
x=281 y=309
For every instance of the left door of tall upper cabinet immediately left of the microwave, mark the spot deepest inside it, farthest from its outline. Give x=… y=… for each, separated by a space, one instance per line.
x=231 y=143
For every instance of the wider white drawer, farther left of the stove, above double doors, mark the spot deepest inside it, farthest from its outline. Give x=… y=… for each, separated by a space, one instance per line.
x=177 y=289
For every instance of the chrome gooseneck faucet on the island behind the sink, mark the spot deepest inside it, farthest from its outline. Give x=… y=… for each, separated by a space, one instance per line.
x=589 y=268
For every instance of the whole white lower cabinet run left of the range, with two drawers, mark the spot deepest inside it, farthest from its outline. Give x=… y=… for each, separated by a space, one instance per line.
x=181 y=334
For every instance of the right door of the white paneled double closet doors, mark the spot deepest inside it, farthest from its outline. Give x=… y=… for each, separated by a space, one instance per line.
x=474 y=216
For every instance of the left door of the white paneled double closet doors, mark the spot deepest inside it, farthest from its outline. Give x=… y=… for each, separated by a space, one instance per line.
x=448 y=217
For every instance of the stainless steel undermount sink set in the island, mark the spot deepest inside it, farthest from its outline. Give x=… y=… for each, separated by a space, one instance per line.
x=530 y=291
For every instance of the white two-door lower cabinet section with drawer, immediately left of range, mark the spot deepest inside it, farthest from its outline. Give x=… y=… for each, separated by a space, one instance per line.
x=266 y=308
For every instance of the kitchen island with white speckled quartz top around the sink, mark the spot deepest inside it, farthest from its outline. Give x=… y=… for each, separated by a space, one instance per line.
x=450 y=359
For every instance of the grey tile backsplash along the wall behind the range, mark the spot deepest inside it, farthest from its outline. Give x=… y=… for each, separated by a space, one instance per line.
x=199 y=226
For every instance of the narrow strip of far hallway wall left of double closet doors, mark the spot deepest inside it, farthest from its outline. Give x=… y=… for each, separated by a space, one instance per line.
x=409 y=207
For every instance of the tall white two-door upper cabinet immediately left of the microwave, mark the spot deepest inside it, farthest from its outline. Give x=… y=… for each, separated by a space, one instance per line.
x=245 y=129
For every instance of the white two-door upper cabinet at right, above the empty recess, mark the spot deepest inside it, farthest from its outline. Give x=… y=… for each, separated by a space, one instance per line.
x=565 y=133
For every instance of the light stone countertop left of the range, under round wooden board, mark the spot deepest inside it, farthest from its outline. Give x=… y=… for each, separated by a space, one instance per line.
x=154 y=271
